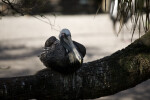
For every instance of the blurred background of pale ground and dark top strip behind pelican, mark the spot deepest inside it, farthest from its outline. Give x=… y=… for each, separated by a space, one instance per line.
x=22 y=38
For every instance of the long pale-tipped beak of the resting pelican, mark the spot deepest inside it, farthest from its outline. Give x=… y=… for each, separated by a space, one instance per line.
x=73 y=48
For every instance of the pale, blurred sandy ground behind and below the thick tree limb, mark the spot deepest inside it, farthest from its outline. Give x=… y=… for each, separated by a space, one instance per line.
x=22 y=40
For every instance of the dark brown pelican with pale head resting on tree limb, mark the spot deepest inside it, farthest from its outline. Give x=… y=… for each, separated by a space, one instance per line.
x=64 y=55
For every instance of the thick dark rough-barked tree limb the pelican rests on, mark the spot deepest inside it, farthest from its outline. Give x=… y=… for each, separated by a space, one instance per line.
x=122 y=70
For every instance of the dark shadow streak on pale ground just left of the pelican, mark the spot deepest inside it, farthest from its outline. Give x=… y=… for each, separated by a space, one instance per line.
x=18 y=52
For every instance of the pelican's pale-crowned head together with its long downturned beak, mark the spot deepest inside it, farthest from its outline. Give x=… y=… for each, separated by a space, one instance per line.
x=66 y=41
